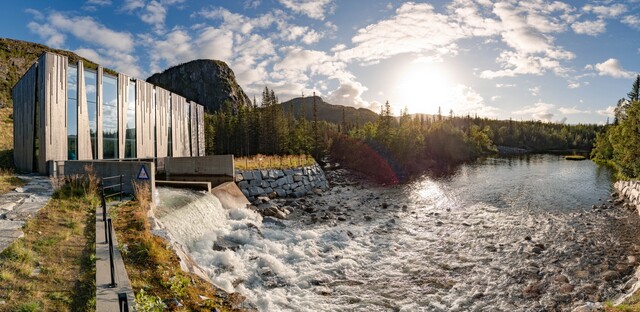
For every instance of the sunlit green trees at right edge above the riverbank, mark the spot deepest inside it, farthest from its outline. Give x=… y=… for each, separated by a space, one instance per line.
x=618 y=144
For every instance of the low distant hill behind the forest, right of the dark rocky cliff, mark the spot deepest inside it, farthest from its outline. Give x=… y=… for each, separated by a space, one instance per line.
x=327 y=111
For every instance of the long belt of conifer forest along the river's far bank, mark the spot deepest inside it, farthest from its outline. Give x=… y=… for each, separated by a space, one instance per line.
x=403 y=146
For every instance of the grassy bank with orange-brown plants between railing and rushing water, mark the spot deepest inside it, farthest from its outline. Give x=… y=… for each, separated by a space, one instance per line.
x=154 y=268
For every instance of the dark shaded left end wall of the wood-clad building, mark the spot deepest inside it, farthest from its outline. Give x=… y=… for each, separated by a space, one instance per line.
x=24 y=106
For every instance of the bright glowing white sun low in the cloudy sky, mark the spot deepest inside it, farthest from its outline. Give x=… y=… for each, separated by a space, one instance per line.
x=423 y=88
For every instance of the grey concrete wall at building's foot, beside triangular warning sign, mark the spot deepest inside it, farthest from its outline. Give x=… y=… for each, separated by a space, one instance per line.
x=106 y=168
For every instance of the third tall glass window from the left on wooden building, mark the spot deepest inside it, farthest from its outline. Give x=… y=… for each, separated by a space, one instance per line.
x=109 y=117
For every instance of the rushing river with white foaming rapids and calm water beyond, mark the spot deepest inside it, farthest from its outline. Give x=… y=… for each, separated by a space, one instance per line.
x=500 y=234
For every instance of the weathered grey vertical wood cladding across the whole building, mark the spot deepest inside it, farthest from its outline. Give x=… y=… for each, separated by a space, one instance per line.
x=45 y=85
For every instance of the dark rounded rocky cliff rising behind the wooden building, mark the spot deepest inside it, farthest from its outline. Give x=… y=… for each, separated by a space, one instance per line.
x=207 y=82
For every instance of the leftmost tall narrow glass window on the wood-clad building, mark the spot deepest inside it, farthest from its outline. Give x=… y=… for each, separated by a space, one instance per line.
x=72 y=113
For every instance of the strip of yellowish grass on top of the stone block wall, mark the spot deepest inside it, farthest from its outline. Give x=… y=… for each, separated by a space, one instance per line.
x=273 y=162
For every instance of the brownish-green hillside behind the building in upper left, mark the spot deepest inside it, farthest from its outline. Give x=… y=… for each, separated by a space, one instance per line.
x=17 y=56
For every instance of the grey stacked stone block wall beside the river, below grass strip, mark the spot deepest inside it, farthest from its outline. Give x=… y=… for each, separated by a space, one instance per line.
x=274 y=183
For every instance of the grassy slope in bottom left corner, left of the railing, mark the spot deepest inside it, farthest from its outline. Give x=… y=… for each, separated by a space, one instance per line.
x=52 y=267
